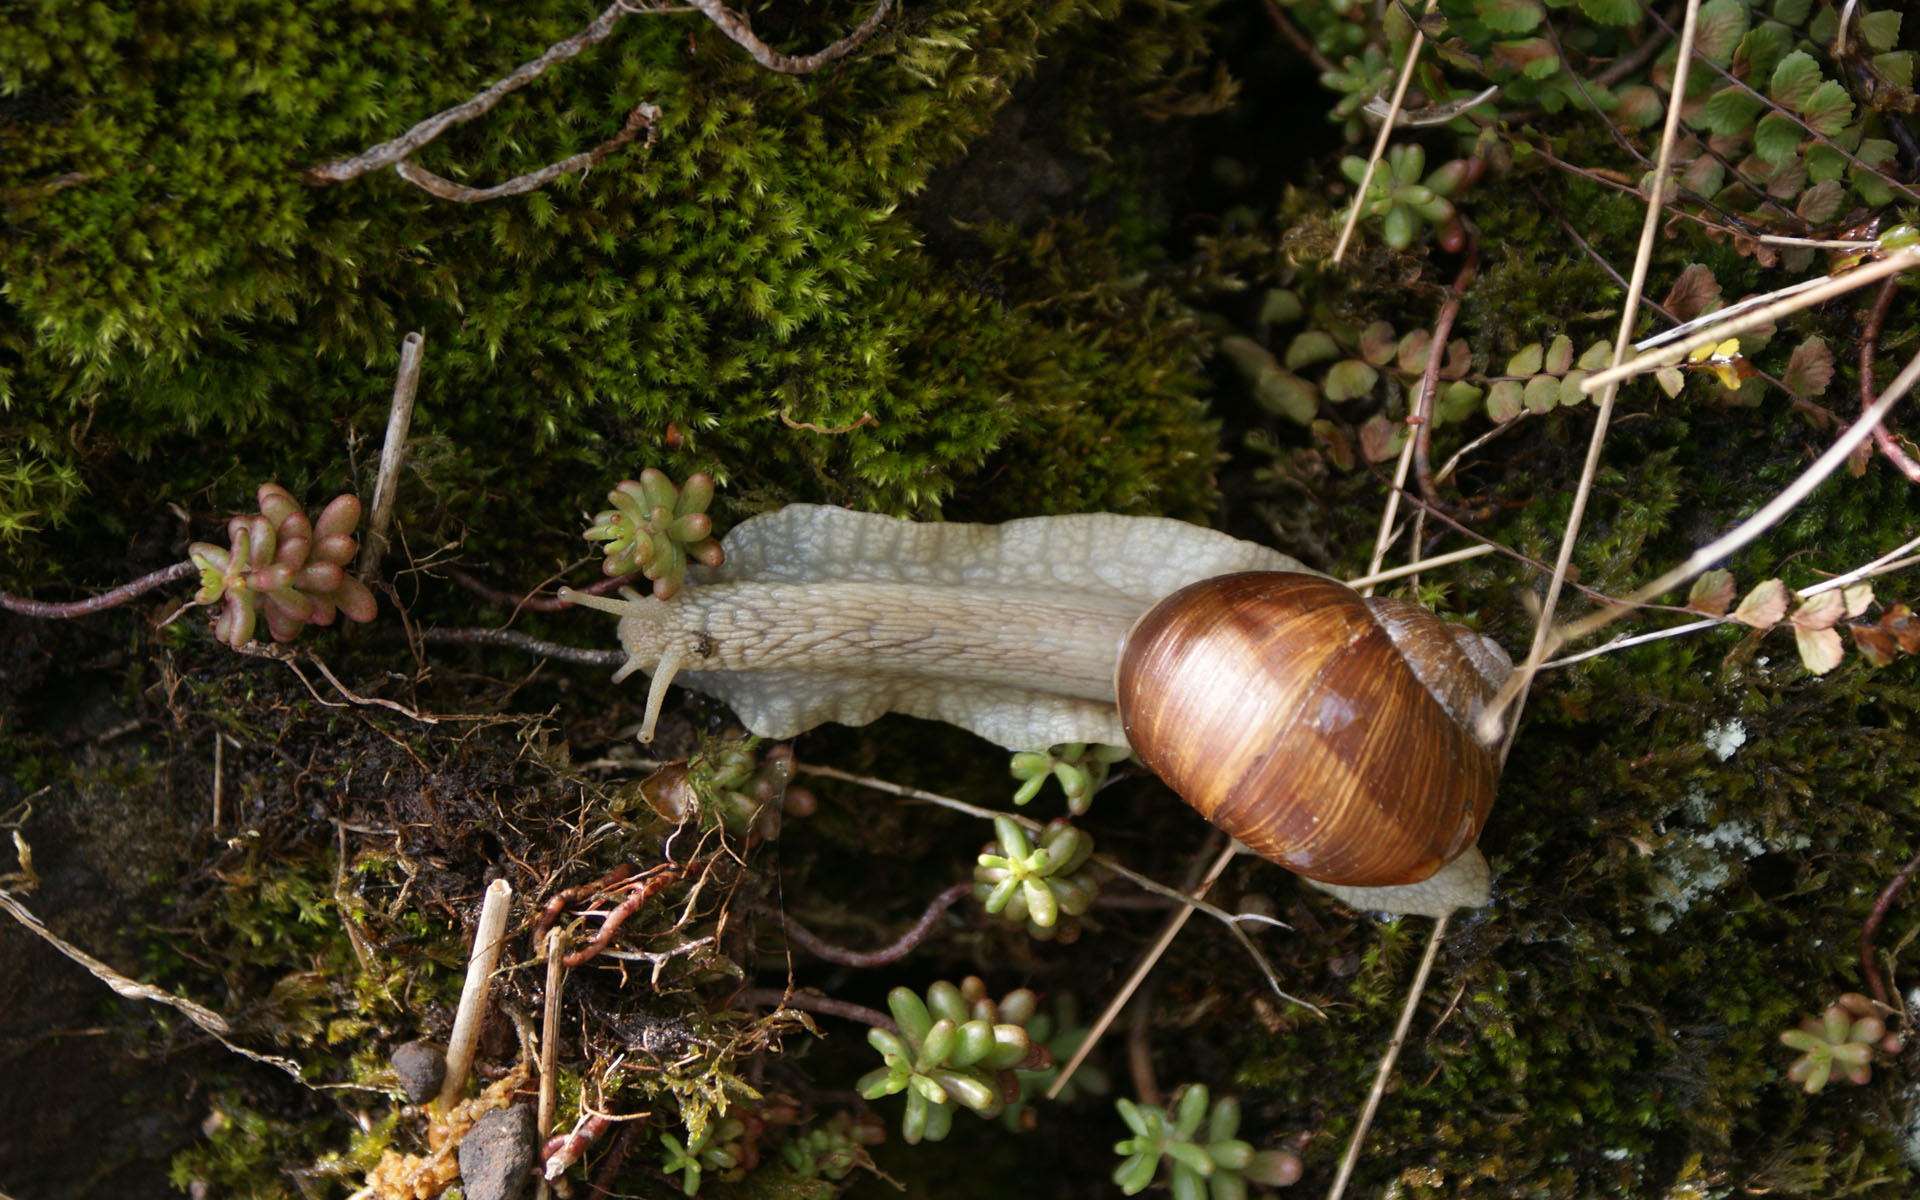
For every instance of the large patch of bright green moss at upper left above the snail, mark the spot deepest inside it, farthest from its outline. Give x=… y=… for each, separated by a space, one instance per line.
x=174 y=279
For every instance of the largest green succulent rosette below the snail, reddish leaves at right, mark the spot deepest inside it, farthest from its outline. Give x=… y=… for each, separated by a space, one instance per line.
x=955 y=1047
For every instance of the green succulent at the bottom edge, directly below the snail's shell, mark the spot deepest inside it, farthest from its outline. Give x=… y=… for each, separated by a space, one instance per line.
x=1201 y=1147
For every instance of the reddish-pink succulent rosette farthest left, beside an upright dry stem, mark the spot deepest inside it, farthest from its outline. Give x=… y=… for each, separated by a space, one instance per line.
x=281 y=564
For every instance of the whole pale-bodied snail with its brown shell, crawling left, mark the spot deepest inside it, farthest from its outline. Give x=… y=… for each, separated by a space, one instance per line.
x=1201 y=652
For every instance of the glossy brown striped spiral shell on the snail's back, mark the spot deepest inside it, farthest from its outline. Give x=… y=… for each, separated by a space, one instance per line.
x=1305 y=721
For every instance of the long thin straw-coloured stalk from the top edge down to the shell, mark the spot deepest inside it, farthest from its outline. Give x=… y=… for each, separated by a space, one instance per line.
x=1524 y=679
